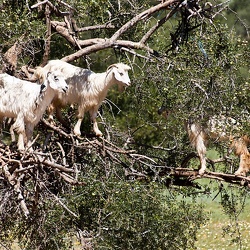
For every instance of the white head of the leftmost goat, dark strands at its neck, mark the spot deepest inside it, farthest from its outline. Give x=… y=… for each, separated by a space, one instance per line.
x=56 y=81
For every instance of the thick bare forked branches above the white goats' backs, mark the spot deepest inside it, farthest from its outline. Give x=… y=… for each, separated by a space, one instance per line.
x=69 y=29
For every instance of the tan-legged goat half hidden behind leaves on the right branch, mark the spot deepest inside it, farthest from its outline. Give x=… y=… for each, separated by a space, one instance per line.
x=220 y=128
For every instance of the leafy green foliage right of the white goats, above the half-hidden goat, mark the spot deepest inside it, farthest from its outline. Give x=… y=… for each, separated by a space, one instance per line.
x=206 y=78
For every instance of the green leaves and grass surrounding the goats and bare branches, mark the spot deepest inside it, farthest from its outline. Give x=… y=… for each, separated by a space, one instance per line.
x=206 y=73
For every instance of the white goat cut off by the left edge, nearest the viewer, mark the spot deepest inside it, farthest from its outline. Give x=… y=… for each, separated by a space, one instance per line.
x=27 y=101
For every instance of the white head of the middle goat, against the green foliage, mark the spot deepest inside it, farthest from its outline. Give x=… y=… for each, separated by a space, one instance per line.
x=120 y=72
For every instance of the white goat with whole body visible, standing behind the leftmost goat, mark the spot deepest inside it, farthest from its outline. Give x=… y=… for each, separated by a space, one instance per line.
x=86 y=89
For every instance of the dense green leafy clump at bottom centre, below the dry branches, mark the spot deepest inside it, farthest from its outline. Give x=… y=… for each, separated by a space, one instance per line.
x=137 y=216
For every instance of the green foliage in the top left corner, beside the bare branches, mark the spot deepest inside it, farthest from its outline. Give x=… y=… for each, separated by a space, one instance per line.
x=19 y=23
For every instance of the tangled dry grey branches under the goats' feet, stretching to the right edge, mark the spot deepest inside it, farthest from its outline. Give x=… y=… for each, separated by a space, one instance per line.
x=63 y=160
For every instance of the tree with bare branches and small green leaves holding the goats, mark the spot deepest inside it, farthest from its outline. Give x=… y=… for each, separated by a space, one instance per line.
x=117 y=185
